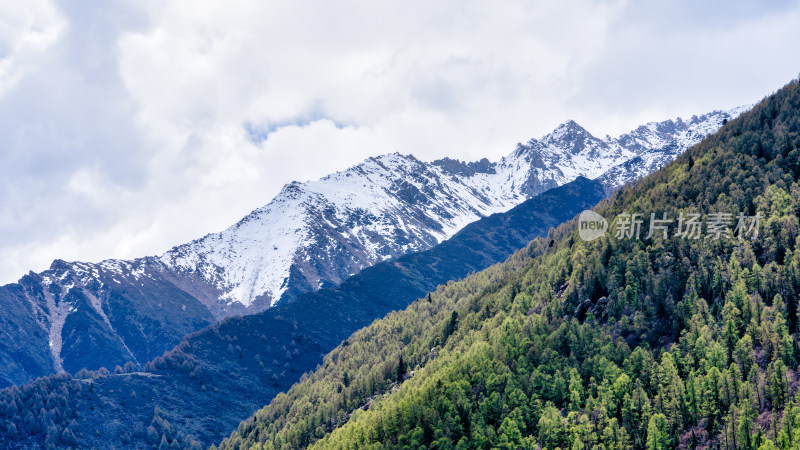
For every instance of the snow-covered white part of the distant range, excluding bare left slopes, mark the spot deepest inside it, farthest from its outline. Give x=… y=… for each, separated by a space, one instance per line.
x=320 y=232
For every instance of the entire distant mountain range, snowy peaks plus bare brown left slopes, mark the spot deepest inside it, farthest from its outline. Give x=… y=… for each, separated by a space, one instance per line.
x=312 y=235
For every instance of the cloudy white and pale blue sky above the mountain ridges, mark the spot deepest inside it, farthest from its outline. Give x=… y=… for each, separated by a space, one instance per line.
x=127 y=127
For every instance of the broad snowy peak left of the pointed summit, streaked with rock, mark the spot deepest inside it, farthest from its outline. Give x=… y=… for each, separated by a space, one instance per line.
x=318 y=233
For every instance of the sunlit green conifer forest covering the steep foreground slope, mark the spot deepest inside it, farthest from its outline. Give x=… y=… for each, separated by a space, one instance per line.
x=614 y=343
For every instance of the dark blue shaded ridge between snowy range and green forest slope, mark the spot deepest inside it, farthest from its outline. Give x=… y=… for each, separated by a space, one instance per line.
x=198 y=392
